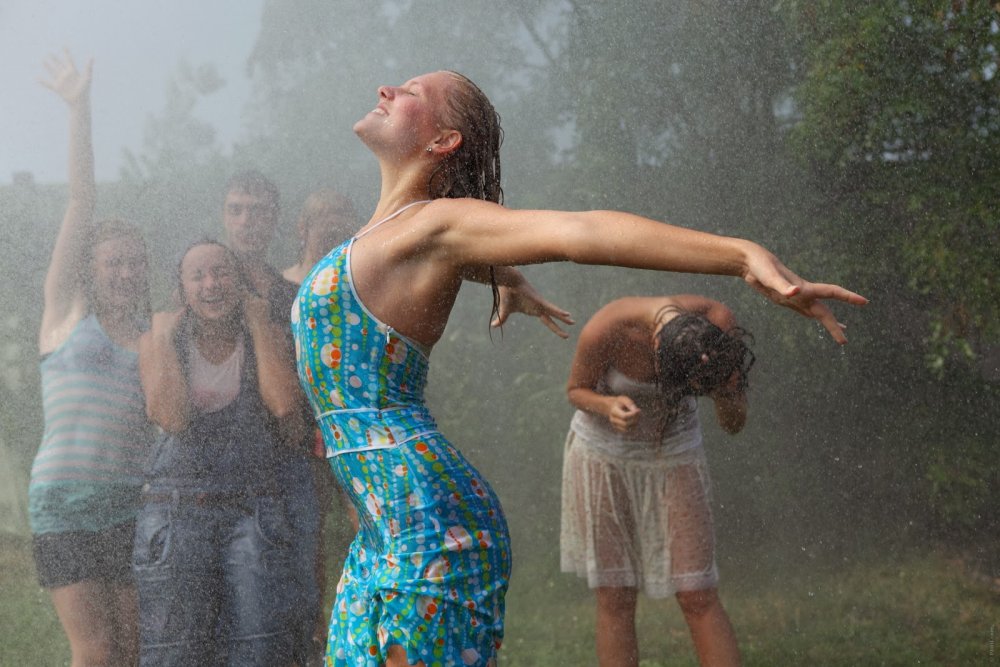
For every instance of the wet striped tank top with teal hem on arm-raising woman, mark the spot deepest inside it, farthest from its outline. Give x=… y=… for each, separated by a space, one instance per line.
x=88 y=470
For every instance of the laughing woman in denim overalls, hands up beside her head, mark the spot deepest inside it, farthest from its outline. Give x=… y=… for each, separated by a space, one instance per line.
x=214 y=557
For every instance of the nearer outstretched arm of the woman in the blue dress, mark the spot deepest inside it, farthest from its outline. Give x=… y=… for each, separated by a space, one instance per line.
x=472 y=232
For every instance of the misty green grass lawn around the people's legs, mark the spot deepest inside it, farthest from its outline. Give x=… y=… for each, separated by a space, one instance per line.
x=890 y=607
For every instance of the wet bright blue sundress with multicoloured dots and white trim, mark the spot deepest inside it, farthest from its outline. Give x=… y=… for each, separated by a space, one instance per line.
x=430 y=566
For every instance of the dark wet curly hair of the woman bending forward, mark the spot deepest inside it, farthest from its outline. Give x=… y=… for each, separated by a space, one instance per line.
x=694 y=357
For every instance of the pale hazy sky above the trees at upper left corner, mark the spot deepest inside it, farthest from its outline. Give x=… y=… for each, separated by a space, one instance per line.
x=136 y=45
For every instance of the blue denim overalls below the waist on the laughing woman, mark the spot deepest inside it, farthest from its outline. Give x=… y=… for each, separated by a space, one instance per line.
x=216 y=581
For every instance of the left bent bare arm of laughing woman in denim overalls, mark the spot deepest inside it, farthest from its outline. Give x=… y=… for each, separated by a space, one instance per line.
x=162 y=376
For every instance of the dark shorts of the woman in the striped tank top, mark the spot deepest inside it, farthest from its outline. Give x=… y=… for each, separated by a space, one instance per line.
x=68 y=558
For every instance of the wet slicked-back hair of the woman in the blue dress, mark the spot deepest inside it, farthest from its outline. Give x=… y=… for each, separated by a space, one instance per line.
x=473 y=169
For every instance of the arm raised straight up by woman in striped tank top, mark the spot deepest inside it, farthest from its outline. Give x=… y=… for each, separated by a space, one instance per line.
x=65 y=297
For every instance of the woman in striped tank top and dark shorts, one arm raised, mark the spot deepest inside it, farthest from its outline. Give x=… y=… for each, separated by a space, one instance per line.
x=85 y=479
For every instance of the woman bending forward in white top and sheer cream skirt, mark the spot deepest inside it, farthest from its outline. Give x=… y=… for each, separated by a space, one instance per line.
x=635 y=496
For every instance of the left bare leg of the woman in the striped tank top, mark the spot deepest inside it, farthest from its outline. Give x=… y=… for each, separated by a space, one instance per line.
x=86 y=613
